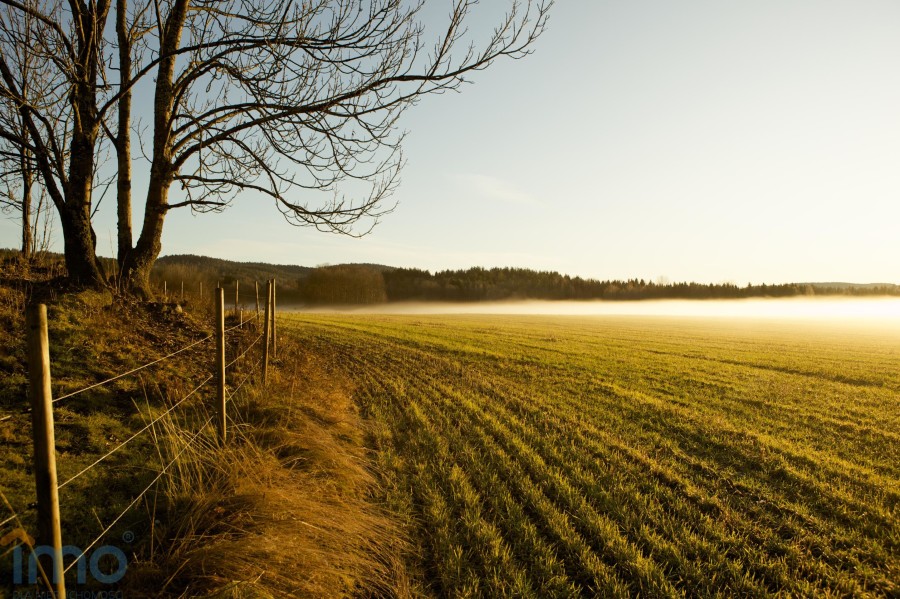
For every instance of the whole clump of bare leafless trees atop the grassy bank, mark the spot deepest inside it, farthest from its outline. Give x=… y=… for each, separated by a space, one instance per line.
x=295 y=101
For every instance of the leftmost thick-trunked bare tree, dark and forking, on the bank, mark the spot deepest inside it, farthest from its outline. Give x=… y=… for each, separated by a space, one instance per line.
x=62 y=134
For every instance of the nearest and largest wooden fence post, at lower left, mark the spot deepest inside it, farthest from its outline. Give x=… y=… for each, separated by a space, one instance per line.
x=39 y=392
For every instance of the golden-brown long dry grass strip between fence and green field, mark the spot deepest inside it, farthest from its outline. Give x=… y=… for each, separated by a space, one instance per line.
x=286 y=509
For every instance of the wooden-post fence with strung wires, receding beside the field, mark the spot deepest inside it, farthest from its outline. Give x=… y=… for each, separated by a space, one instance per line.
x=40 y=387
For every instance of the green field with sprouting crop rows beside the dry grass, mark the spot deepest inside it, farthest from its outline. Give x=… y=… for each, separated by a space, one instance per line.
x=617 y=456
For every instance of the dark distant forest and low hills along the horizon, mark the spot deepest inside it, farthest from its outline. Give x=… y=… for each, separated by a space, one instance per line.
x=372 y=284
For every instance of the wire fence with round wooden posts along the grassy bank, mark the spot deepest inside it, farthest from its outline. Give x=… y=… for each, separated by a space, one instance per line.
x=42 y=403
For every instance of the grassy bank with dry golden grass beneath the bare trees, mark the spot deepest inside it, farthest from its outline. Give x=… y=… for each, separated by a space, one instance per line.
x=284 y=509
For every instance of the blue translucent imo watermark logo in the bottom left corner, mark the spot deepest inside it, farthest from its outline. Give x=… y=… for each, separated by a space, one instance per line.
x=82 y=564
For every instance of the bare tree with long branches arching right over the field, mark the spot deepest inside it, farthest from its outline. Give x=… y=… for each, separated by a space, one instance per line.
x=287 y=98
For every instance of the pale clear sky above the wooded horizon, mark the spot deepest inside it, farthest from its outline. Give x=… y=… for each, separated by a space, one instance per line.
x=695 y=140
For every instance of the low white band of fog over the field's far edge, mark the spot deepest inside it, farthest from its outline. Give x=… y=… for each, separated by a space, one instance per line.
x=884 y=311
